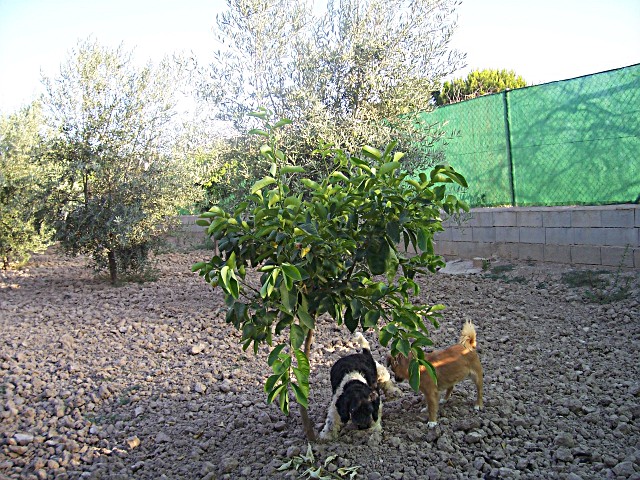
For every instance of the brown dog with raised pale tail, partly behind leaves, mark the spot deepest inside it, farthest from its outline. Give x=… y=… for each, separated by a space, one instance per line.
x=452 y=365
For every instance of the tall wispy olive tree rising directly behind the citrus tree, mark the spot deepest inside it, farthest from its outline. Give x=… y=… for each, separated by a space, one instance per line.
x=358 y=72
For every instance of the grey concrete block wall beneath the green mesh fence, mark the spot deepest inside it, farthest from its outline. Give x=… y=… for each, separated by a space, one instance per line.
x=604 y=235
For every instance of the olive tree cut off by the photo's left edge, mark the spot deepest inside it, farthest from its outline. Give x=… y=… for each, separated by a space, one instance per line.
x=22 y=182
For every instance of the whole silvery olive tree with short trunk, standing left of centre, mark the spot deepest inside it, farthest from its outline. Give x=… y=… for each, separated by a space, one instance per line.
x=122 y=176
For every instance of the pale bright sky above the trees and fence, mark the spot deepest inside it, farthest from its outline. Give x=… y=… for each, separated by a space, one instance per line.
x=541 y=40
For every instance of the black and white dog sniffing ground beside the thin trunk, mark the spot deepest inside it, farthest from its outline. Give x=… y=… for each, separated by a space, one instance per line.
x=356 y=381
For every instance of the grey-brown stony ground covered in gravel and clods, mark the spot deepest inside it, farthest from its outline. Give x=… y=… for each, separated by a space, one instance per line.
x=147 y=381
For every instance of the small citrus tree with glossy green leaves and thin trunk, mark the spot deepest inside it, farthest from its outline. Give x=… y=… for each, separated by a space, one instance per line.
x=349 y=247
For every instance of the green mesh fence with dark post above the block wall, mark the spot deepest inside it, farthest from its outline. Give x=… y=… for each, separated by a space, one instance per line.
x=572 y=142
